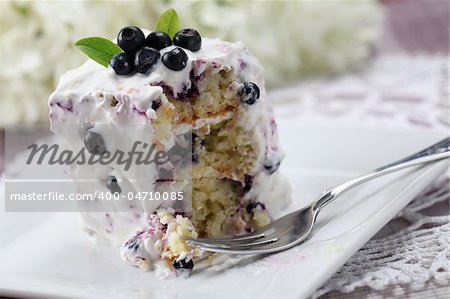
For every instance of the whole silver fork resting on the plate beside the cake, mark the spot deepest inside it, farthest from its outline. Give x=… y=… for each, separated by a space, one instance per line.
x=296 y=227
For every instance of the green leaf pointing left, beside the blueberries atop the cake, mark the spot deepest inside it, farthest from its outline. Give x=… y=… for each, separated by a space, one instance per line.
x=98 y=49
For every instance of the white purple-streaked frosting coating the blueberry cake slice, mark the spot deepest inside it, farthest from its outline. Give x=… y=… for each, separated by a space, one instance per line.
x=84 y=97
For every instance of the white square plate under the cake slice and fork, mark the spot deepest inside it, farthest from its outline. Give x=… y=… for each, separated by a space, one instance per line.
x=47 y=255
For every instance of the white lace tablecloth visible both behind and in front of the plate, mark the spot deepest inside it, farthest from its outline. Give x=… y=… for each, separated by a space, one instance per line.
x=410 y=256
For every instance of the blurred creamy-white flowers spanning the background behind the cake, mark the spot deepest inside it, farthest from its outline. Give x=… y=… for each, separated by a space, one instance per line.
x=291 y=39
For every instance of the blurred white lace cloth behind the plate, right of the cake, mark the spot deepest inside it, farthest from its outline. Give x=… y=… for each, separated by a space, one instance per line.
x=395 y=91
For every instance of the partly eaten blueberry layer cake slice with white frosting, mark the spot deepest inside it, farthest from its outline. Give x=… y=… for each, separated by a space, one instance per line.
x=150 y=91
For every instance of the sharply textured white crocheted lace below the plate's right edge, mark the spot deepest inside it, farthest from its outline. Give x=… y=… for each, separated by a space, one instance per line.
x=408 y=259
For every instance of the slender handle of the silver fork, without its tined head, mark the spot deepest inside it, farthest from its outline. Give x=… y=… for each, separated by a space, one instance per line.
x=438 y=151
